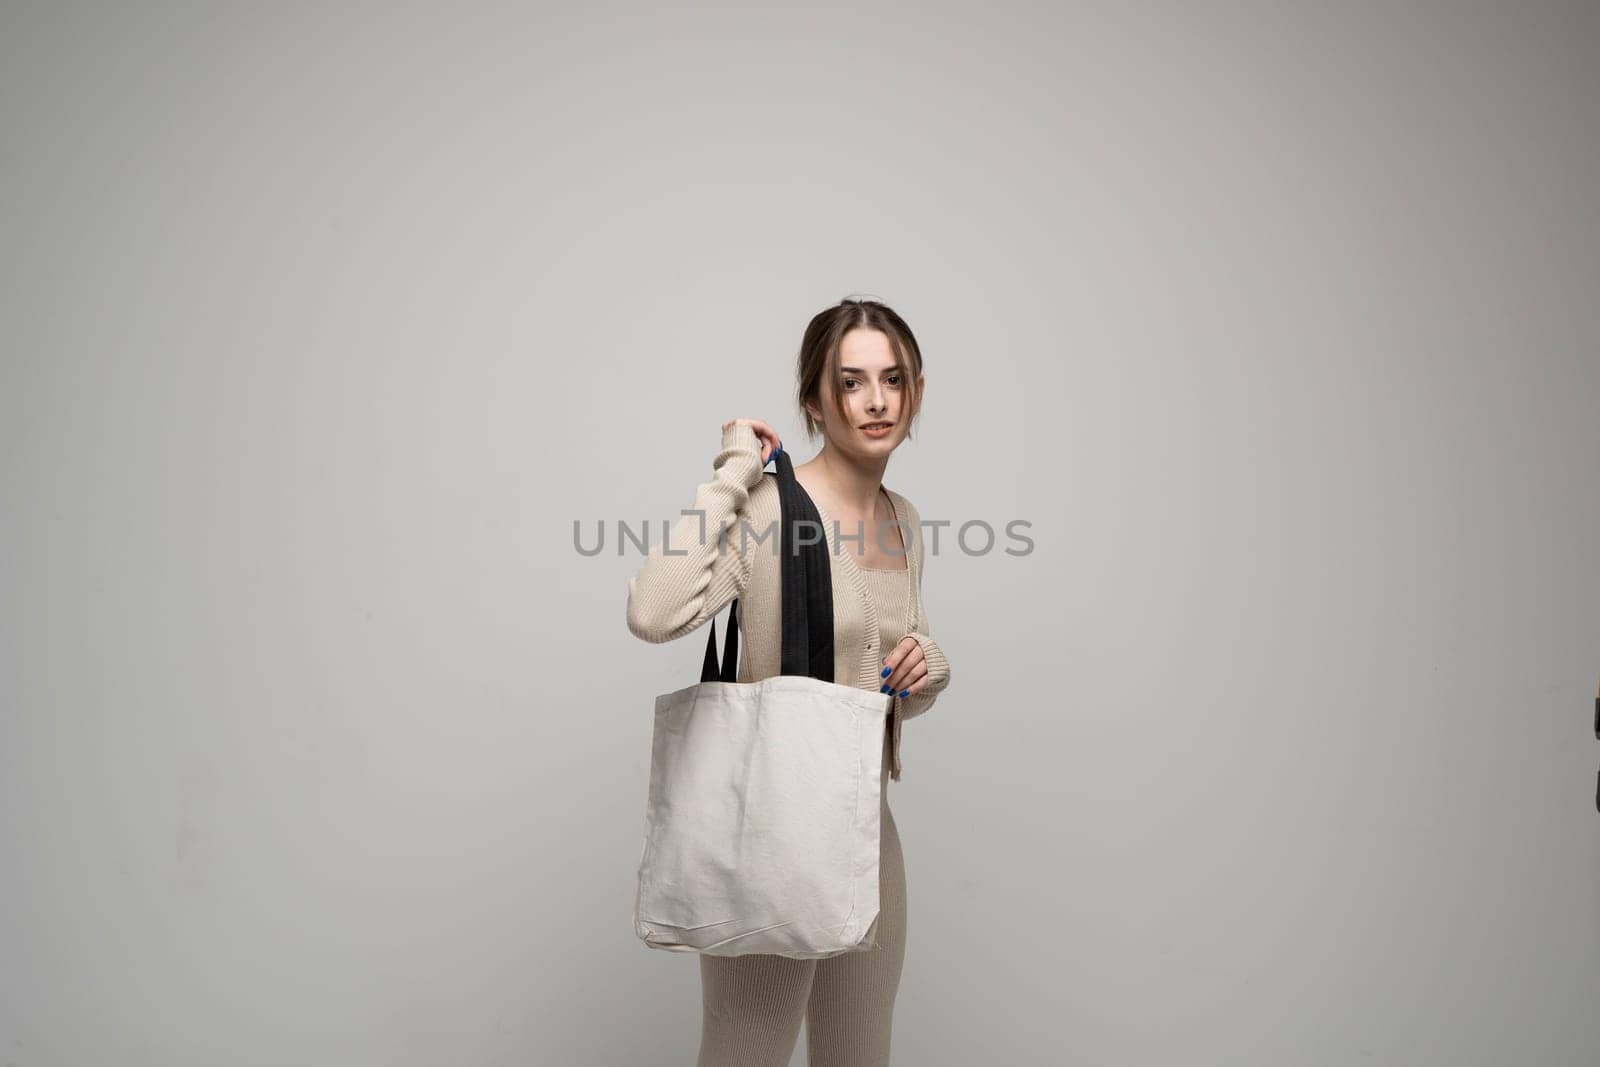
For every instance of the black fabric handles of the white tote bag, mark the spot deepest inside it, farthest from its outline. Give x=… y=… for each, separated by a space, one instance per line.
x=807 y=594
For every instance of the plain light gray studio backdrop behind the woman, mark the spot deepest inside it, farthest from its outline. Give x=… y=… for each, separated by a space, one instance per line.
x=322 y=745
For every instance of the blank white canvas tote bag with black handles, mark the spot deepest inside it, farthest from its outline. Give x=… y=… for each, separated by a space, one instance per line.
x=762 y=821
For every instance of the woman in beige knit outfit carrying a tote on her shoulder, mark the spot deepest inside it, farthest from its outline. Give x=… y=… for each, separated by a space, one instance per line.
x=862 y=386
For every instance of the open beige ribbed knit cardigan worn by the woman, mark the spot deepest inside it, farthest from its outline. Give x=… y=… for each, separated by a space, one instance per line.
x=692 y=577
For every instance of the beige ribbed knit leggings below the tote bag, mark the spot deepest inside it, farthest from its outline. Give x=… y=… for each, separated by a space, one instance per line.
x=754 y=1004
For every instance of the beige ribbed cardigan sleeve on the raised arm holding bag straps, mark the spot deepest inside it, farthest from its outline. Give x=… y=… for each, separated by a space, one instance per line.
x=674 y=593
